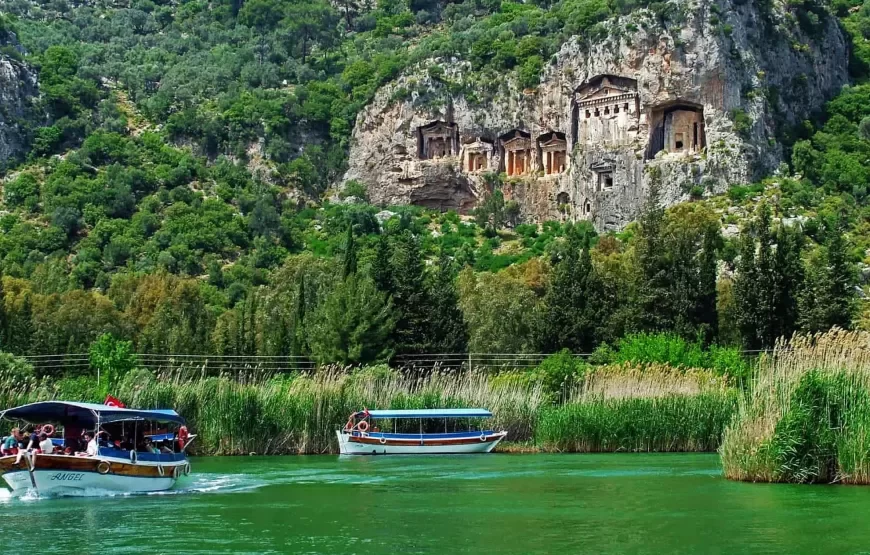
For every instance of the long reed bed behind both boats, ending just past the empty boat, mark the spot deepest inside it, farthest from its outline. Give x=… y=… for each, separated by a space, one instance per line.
x=300 y=413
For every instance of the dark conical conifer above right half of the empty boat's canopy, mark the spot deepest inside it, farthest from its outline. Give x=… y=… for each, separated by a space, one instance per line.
x=448 y=332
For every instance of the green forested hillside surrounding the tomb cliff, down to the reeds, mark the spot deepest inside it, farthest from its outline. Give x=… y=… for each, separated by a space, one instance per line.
x=175 y=195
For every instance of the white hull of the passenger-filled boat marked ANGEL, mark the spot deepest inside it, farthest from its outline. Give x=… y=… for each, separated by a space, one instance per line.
x=61 y=473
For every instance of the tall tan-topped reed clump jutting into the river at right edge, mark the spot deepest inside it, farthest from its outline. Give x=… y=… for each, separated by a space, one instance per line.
x=807 y=416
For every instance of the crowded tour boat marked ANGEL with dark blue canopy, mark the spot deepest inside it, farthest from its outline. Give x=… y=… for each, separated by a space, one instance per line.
x=131 y=450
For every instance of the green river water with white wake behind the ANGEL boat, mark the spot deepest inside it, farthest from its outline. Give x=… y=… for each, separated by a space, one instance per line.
x=470 y=504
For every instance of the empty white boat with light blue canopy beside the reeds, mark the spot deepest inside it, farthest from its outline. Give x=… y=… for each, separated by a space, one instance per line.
x=361 y=435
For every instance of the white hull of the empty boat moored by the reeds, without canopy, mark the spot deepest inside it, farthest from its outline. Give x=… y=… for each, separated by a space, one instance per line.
x=389 y=444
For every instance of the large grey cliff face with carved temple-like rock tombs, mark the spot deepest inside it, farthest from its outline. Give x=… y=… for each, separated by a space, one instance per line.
x=687 y=109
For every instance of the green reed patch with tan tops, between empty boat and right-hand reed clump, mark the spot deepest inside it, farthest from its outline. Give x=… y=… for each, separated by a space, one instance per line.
x=640 y=408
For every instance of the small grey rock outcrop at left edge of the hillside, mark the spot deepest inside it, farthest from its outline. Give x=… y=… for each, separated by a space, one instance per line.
x=18 y=89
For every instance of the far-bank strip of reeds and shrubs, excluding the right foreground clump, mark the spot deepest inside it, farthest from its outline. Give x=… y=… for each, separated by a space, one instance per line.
x=640 y=396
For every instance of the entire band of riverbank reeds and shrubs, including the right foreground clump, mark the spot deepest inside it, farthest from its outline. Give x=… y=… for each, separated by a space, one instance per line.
x=800 y=413
